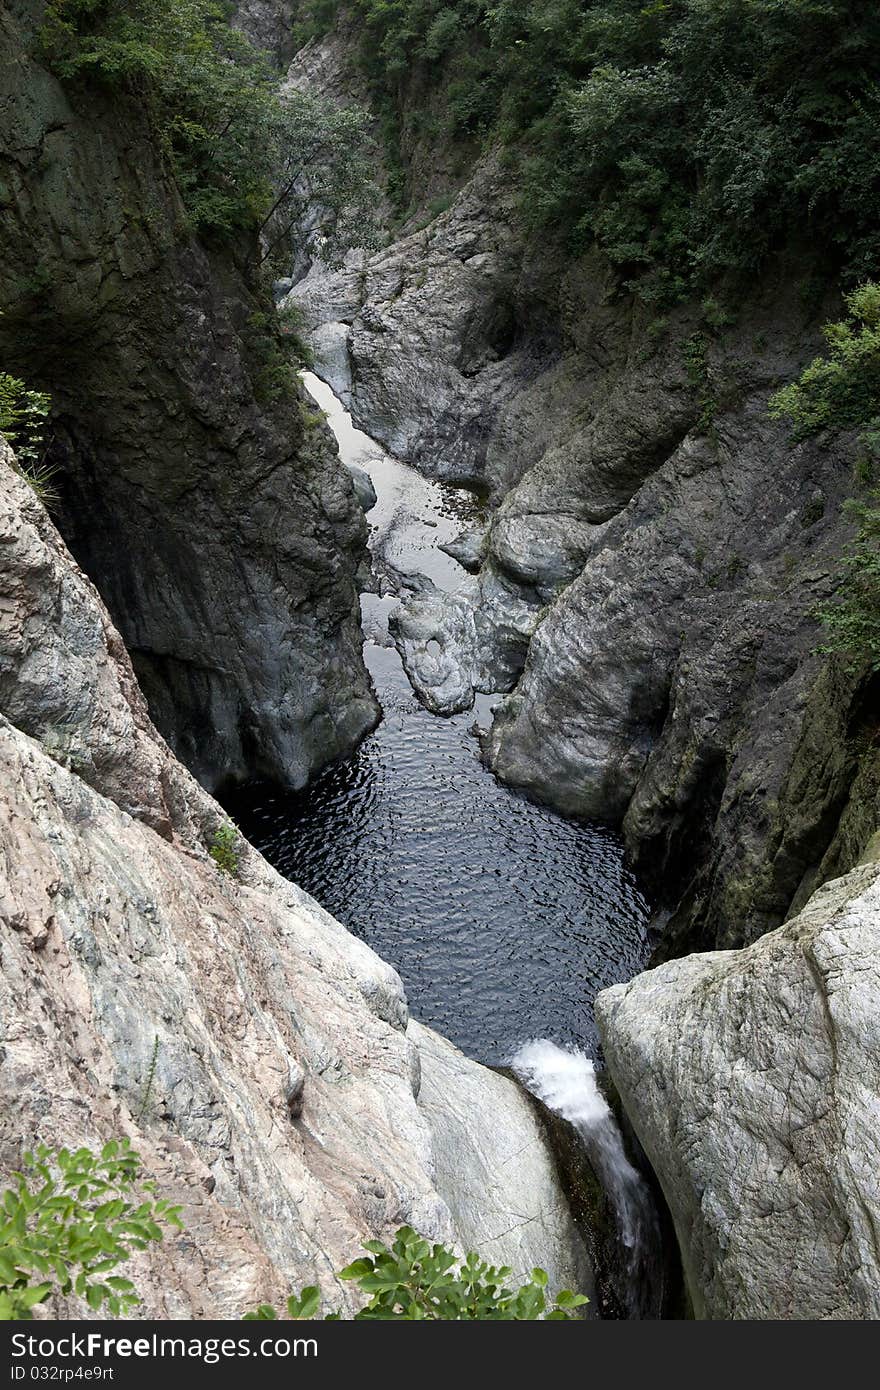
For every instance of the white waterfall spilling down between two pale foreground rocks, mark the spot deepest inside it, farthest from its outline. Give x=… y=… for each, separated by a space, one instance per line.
x=567 y=1084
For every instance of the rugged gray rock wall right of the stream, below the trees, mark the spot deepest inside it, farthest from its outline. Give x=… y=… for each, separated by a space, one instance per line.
x=657 y=555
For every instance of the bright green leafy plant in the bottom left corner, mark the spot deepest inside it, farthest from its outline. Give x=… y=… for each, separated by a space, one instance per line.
x=69 y=1220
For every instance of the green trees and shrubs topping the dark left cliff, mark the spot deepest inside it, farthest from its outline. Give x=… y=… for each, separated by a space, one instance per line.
x=241 y=156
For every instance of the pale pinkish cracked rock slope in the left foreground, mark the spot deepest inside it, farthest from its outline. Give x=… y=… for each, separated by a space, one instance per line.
x=117 y=929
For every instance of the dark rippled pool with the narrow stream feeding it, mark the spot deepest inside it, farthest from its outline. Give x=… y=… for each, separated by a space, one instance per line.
x=503 y=918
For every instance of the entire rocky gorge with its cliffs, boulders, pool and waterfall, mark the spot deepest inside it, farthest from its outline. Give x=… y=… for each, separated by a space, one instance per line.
x=497 y=639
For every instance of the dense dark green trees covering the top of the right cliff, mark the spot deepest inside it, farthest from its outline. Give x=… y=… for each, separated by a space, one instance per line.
x=692 y=138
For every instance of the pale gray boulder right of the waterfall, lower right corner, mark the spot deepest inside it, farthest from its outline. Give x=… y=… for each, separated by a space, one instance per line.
x=751 y=1079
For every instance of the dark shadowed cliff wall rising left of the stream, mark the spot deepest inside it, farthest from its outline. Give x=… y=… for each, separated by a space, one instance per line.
x=215 y=519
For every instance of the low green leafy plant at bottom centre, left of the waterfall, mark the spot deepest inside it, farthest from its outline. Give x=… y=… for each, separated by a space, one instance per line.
x=415 y=1281
